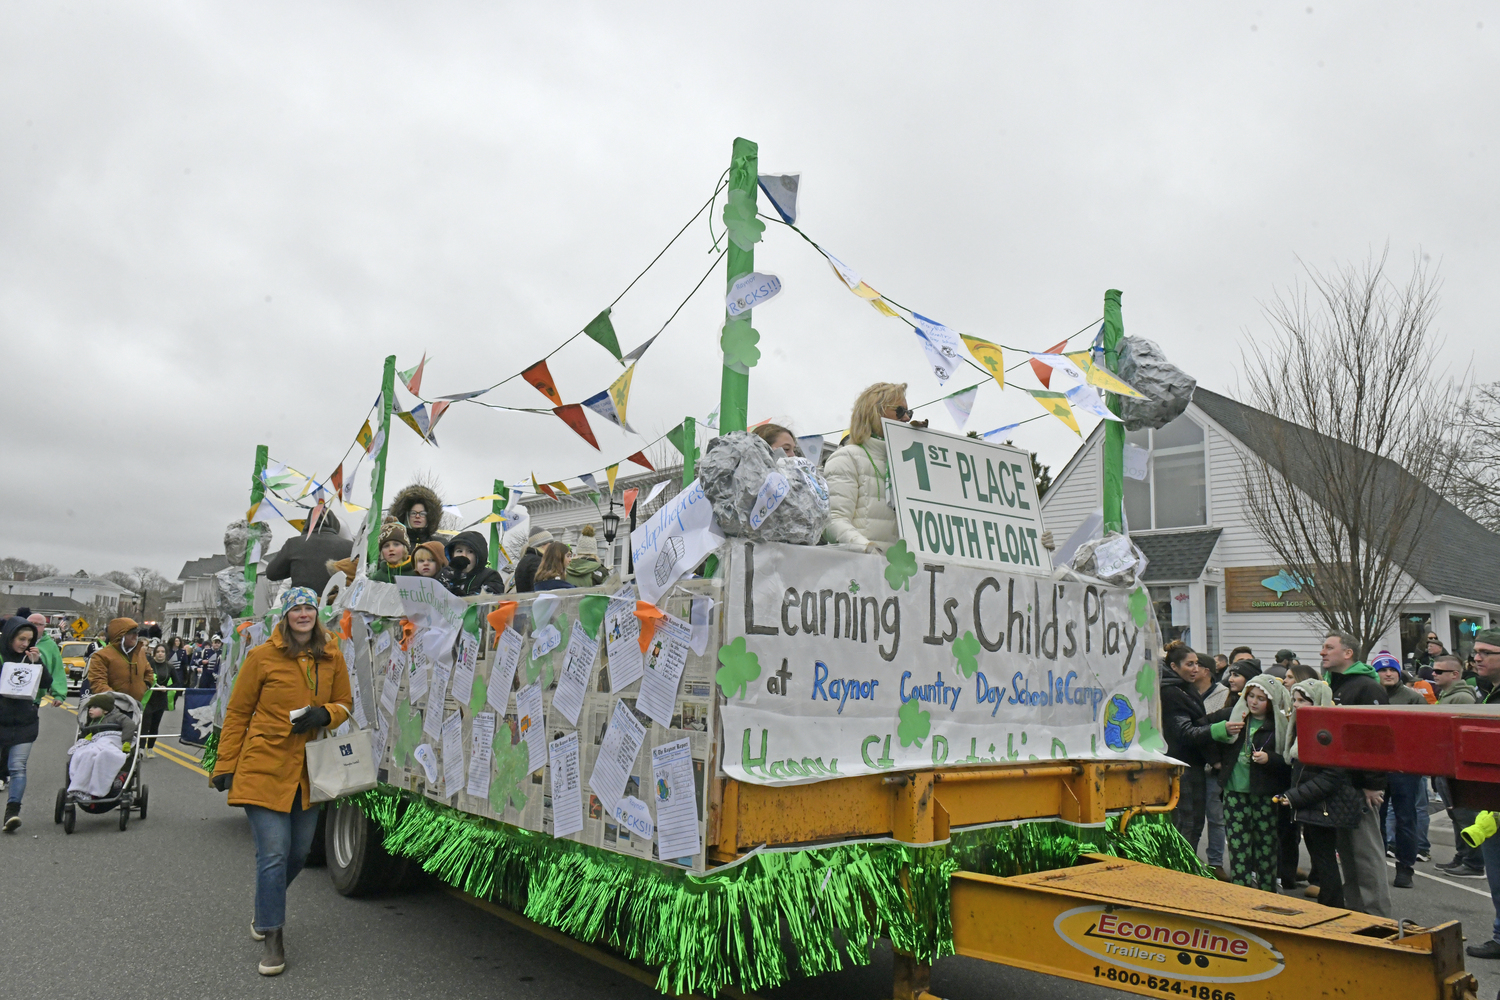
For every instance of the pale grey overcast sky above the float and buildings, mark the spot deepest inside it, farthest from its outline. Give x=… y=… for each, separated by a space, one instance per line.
x=218 y=220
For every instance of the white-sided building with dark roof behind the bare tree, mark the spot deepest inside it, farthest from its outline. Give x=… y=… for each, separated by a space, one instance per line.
x=1216 y=584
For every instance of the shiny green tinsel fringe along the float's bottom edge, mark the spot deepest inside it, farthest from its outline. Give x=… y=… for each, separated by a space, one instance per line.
x=727 y=929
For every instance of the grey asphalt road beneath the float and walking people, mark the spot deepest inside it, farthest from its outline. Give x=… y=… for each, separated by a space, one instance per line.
x=163 y=912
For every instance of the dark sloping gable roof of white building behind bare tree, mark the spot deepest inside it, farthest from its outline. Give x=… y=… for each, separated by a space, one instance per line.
x=1459 y=552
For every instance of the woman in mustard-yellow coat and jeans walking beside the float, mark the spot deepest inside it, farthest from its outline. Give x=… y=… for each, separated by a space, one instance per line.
x=263 y=761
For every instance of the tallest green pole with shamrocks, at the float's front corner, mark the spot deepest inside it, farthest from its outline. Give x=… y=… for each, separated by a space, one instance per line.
x=739 y=338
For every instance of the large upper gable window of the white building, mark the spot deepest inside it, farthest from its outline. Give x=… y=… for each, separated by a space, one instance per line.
x=1175 y=490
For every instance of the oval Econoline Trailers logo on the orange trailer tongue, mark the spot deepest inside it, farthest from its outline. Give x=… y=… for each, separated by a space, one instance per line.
x=1166 y=945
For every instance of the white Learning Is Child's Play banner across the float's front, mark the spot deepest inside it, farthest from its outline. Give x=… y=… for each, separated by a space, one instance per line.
x=841 y=663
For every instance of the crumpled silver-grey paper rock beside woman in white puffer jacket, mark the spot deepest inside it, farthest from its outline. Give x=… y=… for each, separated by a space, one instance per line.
x=737 y=469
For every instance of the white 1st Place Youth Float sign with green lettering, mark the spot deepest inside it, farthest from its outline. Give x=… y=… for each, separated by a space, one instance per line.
x=965 y=500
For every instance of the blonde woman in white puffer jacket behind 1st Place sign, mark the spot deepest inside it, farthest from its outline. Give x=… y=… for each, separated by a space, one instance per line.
x=860 y=507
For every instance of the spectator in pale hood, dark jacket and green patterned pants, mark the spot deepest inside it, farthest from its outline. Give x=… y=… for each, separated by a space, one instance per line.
x=1255 y=773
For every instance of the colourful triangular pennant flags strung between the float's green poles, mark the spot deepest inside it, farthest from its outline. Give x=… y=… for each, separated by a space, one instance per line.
x=1070 y=379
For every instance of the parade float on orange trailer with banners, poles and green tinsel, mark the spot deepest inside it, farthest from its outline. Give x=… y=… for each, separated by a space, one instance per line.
x=752 y=759
